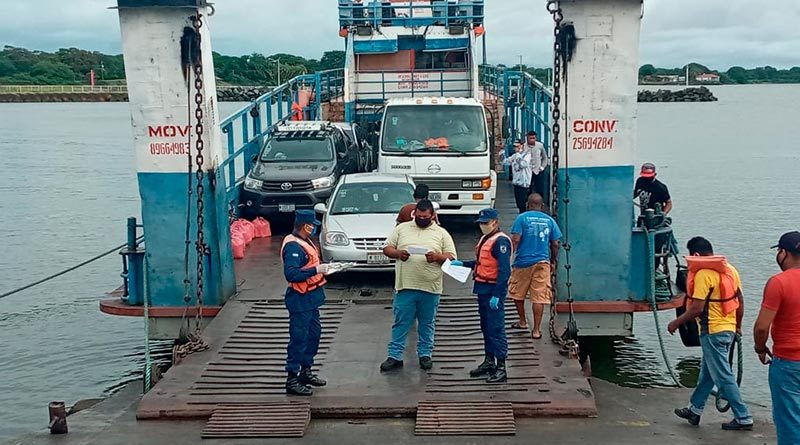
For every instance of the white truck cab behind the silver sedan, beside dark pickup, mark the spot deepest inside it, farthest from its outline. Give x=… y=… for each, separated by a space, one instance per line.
x=443 y=143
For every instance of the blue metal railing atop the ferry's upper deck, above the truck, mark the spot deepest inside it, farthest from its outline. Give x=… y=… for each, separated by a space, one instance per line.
x=384 y=13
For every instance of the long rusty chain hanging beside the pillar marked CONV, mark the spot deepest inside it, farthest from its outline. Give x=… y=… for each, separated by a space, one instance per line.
x=569 y=340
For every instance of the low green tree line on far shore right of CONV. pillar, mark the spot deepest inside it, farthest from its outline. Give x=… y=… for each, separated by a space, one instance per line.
x=734 y=75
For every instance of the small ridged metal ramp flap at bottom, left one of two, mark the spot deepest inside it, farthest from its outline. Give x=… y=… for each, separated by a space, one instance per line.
x=288 y=419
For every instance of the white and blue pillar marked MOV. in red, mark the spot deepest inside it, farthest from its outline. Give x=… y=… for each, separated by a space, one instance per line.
x=163 y=120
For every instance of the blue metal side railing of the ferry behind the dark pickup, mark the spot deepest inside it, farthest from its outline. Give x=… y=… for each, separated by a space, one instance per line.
x=244 y=131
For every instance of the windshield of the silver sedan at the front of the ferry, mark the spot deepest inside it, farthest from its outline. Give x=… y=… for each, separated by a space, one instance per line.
x=361 y=198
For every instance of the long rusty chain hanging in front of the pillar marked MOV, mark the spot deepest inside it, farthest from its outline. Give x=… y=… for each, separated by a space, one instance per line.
x=195 y=342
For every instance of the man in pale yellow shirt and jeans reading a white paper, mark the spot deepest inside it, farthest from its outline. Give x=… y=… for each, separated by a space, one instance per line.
x=420 y=248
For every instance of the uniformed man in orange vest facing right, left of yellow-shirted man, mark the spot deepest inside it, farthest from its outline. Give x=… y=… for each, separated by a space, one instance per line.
x=304 y=296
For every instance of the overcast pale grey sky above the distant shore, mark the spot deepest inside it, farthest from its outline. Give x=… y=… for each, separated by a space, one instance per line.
x=717 y=33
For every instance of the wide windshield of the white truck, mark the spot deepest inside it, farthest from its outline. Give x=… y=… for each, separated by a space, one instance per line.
x=423 y=128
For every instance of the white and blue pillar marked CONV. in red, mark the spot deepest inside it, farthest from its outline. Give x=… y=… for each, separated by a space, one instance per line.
x=598 y=143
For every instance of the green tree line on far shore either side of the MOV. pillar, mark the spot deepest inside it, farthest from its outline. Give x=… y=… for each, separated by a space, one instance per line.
x=72 y=66
